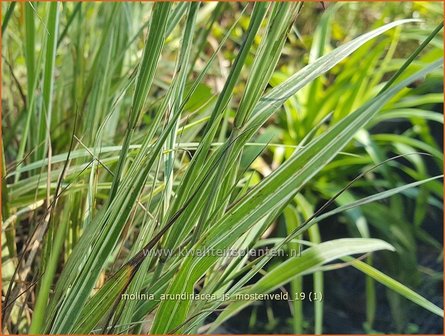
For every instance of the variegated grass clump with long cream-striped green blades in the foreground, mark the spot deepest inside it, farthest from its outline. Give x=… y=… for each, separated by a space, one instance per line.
x=113 y=153
